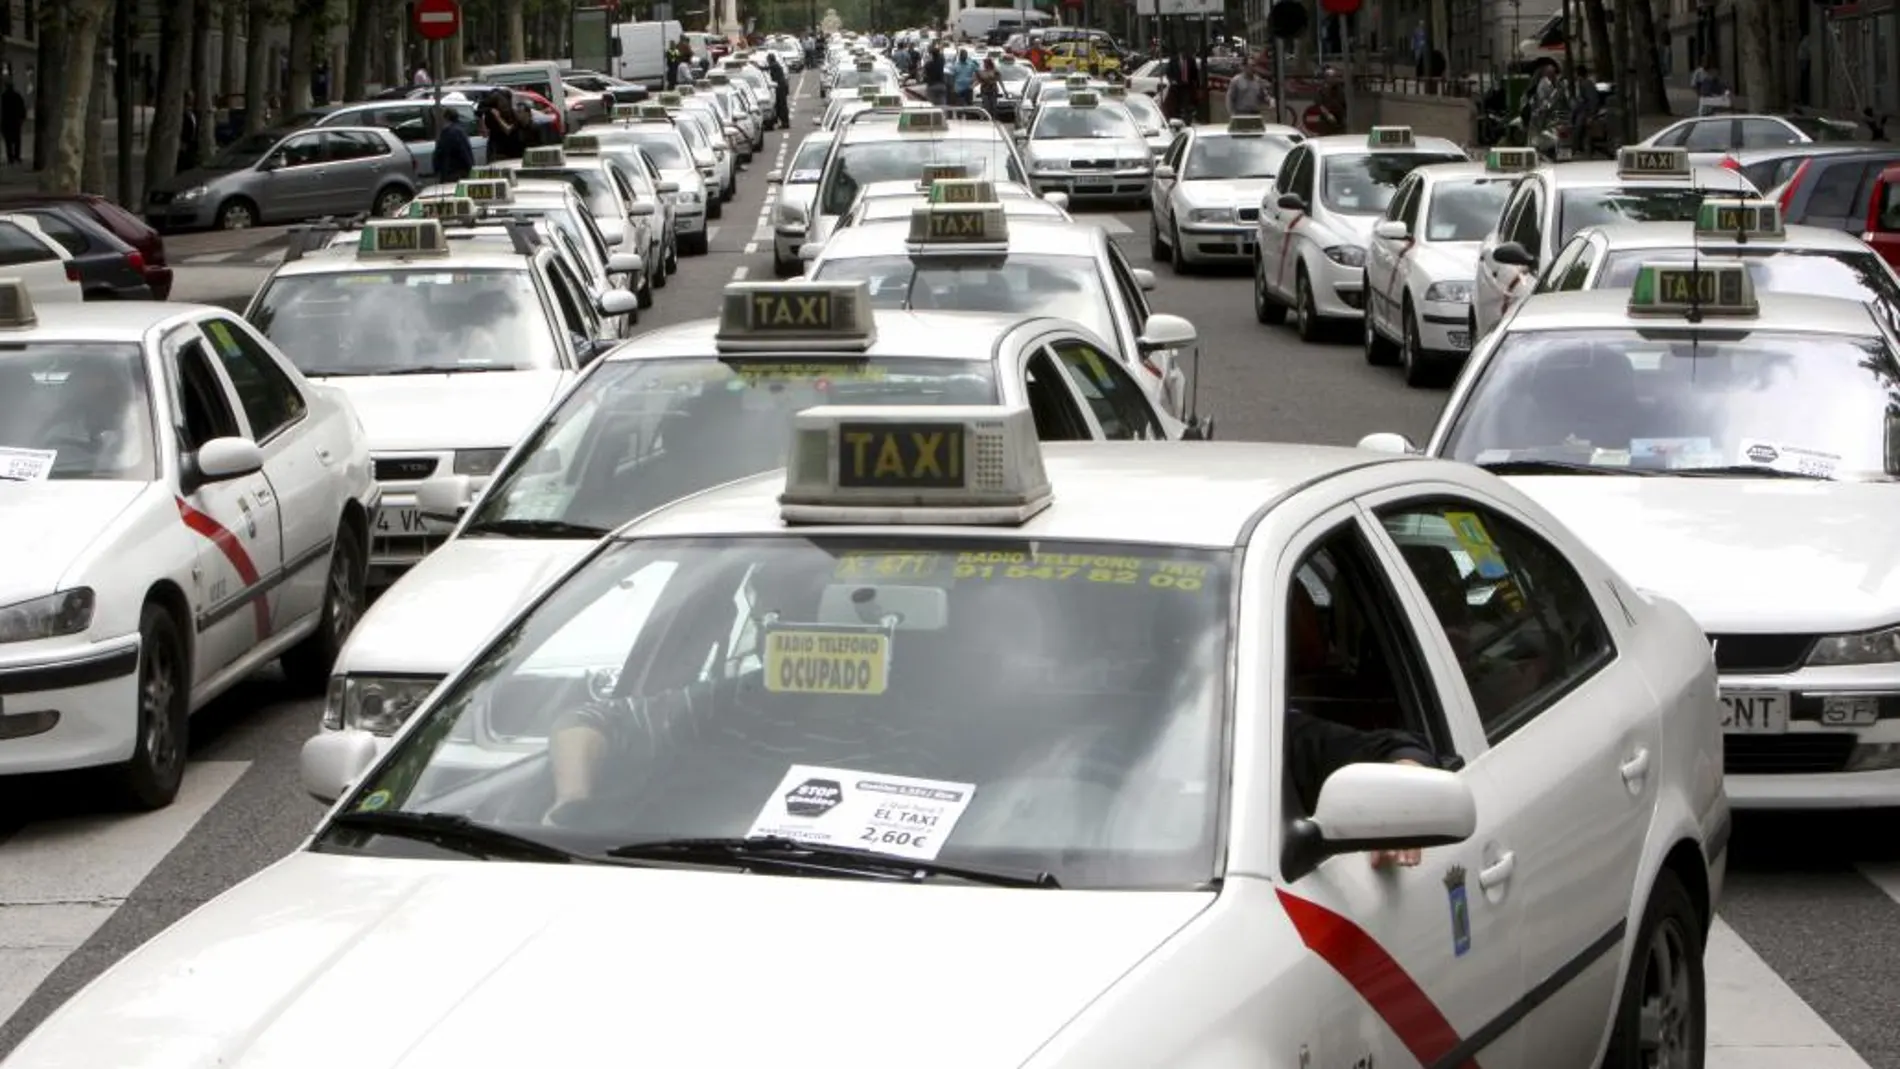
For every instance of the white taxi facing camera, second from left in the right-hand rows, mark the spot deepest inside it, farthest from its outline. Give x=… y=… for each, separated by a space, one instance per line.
x=1209 y=187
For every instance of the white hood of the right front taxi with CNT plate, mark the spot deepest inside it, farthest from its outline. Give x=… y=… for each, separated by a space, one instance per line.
x=1743 y=553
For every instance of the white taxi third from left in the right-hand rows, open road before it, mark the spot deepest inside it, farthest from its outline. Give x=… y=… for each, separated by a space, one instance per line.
x=1318 y=221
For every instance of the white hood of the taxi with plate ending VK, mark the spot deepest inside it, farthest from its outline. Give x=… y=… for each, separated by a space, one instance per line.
x=466 y=411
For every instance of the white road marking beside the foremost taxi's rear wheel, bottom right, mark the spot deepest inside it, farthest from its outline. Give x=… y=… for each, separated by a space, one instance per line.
x=1755 y=1017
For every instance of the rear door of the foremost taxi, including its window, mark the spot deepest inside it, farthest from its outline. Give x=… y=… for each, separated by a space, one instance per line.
x=1572 y=745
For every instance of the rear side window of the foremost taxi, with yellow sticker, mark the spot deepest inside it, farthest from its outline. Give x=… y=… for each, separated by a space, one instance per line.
x=1517 y=614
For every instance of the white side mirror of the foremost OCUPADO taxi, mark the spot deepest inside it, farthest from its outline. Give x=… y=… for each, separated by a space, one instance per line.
x=1380 y=808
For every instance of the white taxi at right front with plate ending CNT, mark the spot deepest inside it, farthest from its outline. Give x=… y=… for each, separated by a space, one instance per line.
x=1641 y=419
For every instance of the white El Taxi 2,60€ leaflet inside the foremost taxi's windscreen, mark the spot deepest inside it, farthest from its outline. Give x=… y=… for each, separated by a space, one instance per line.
x=843 y=808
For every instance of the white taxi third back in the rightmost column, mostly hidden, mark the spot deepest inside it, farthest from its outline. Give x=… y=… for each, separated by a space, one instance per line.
x=1555 y=202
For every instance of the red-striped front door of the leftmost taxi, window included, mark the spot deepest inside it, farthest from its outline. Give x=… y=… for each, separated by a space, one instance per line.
x=240 y=544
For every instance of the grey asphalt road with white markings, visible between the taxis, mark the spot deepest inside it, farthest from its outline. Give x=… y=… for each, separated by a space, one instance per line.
x=1804 y=966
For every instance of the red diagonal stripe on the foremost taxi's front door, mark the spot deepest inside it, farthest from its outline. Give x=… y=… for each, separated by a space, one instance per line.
x=1380 y=981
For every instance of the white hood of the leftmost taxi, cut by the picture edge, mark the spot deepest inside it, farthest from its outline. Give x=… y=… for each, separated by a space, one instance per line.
x=52 y=525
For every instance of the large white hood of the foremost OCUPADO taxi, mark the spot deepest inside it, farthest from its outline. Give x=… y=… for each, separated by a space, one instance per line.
x=328 y=960
